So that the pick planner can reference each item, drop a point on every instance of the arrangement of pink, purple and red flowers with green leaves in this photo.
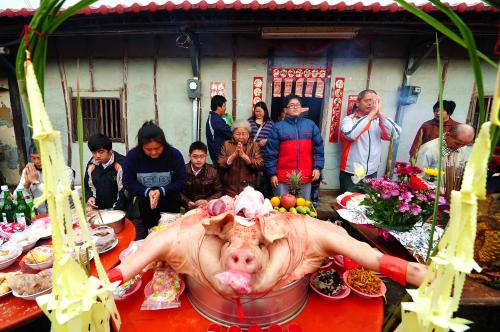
(399, 205)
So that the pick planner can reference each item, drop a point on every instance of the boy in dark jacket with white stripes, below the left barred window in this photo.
(103, 175)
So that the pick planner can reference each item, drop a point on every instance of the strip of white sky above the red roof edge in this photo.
(18, 4)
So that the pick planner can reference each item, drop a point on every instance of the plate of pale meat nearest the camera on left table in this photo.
(29, 286)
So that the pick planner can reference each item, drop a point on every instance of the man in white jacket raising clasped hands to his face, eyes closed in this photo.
(361, 134)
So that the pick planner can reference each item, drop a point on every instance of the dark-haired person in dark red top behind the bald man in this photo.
(429, 130)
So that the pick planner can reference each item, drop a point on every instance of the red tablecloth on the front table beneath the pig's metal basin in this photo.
(350, 314)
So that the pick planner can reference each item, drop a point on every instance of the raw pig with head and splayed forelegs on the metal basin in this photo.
(267, 251)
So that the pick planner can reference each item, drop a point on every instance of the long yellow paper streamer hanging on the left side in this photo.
(77, 302)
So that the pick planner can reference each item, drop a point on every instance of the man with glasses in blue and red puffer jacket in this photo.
(294, 144)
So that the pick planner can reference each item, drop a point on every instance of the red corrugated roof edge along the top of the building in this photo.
(270, 5)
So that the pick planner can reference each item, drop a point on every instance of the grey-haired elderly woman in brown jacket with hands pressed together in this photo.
(240, 159)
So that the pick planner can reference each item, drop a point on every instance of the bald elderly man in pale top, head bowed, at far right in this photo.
(455, 148)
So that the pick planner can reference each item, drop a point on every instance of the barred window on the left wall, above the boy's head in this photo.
(100, 116)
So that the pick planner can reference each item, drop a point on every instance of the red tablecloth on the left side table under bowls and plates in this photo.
(15, 312)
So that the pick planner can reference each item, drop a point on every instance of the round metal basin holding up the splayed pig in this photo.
(276, 307)
